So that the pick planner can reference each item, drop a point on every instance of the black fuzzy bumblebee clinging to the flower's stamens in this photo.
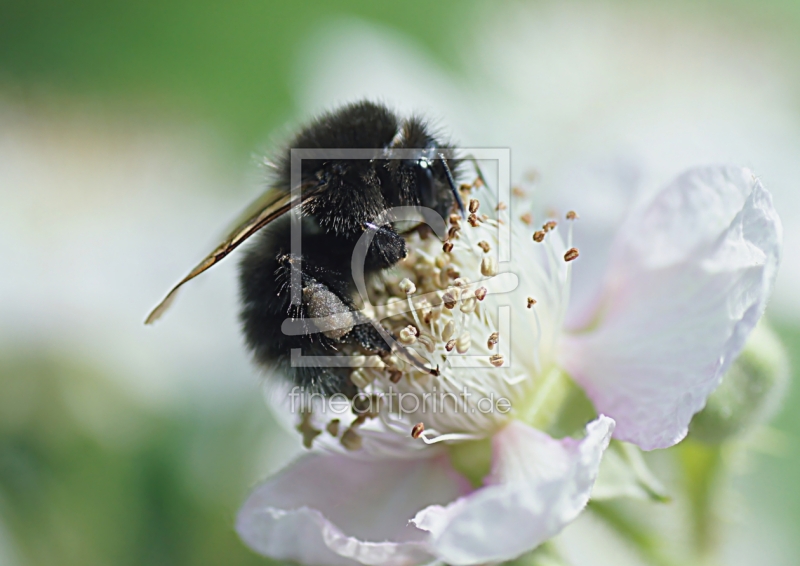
(340, 199)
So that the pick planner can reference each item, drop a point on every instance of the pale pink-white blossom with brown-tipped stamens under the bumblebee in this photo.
(688, 278)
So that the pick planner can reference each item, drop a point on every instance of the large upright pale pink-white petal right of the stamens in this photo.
(689, 278)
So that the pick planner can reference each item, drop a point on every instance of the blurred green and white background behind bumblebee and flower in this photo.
(132, 133)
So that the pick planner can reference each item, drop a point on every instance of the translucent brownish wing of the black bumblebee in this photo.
(264, 210)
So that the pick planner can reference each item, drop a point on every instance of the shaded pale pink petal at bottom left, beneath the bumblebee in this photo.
(335, 509)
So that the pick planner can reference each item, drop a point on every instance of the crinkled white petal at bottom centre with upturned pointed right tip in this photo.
(536, 487)
